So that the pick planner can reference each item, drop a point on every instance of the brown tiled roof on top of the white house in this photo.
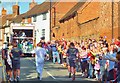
(39, 9)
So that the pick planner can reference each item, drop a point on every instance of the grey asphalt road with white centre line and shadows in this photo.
(52, 72)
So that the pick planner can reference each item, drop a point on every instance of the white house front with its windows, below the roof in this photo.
(42, 26)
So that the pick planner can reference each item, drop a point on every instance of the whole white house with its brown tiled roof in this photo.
(40, 16)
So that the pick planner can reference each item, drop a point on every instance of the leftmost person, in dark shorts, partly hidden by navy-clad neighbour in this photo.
(5, 56)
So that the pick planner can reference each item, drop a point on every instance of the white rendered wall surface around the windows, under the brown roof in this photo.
(42, 24)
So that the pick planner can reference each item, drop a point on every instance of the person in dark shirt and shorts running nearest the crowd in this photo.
(72, 54)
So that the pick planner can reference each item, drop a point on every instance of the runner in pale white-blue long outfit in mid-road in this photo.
(39, 57)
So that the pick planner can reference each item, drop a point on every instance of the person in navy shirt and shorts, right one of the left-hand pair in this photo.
(15, 56)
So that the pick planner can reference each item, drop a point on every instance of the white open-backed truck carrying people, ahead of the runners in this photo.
(24, 34)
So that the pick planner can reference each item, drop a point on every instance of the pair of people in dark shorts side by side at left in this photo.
(12, 61)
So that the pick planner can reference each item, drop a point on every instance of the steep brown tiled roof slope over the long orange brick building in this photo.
(72, 11)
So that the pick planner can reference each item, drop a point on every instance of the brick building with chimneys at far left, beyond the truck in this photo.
(5, 20)
